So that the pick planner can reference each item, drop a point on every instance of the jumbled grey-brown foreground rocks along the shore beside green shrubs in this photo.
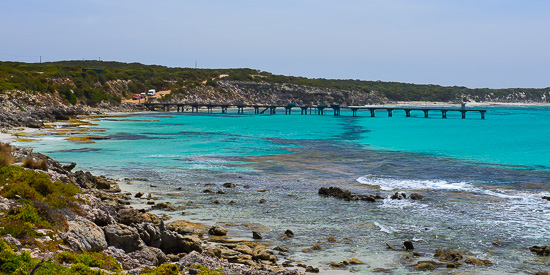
(103, 222)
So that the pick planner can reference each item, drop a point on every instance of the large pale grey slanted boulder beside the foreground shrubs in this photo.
(84, 235)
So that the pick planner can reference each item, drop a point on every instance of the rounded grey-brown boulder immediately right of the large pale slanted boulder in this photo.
(123, 237)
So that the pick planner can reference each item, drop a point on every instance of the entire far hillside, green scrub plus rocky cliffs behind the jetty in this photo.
(92, 82)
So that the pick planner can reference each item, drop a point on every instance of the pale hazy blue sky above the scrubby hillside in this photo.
(472, 43)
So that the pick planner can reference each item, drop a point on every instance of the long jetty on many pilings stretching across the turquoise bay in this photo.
(318, 109)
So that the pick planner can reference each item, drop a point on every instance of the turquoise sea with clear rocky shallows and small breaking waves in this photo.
(482, 180)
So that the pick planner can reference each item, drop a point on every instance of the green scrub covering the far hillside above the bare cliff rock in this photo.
(92, 82)
